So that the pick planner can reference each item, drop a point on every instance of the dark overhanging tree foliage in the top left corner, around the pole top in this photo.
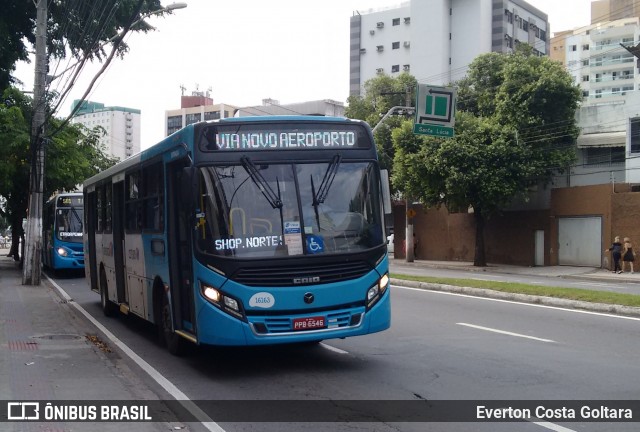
(83, 27)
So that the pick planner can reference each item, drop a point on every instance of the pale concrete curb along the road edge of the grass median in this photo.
(523, 298)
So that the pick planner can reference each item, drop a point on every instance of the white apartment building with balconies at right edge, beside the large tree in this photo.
(607, 74)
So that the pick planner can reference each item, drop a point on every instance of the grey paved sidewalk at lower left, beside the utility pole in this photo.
(49, 352)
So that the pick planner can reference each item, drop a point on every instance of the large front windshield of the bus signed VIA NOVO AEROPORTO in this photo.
(286, 209)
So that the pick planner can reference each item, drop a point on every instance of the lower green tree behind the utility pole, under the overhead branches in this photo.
(73, 155)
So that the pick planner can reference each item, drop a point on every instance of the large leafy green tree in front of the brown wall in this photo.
(515, 127)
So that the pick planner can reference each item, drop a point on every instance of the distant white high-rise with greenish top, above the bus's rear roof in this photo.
(122, 126)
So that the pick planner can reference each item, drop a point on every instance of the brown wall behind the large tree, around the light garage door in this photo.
(510, 237)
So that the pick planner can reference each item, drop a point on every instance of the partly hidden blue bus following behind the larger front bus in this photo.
(62, 217)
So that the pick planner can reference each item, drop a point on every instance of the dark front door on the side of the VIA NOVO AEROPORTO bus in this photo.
(180, 252)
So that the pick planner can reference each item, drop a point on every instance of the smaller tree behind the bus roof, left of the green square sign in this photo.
(381, 94)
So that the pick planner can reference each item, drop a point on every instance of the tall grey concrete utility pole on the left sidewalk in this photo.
(33, 237)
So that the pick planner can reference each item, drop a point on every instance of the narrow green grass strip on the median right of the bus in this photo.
(520, 288)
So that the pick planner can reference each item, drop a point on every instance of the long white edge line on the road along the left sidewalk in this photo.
(170, 388)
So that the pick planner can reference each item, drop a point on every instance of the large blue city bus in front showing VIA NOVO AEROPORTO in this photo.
(244, 231)
